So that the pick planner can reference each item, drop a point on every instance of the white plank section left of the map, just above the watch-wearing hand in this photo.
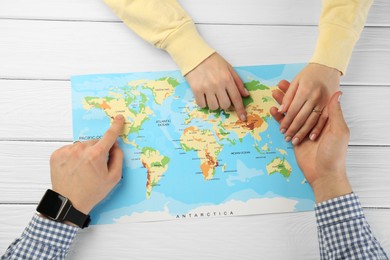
(36, 110)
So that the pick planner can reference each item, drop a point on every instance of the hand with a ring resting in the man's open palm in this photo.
(309, 91)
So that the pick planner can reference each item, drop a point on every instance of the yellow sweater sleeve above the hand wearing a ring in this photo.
(340, 25)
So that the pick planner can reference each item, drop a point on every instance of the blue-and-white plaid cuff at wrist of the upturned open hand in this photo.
(338, 210)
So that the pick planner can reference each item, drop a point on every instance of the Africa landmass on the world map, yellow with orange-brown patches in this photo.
(204, 142)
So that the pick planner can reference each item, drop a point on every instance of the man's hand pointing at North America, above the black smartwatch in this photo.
(86, 172)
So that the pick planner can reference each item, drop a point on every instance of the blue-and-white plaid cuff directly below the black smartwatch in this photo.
(50, 233)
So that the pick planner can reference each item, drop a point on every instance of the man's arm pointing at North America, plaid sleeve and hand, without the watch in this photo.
(81, 173)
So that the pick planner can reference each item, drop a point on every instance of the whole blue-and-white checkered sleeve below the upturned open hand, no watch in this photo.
(343, 231)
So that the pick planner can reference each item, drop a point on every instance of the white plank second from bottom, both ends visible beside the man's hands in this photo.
(24, 168)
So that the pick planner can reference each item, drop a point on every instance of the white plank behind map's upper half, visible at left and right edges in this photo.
(41, 110)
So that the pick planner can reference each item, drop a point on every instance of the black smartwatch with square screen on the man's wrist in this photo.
(59, 208)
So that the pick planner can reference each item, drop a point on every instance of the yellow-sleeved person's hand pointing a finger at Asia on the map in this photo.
(215, 85)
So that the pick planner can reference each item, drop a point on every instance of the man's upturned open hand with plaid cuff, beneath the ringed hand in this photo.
(322, 161)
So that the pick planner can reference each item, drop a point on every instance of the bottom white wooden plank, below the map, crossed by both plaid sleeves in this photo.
(246, 237)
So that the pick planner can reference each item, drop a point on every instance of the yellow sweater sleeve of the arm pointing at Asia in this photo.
(166, 25)
